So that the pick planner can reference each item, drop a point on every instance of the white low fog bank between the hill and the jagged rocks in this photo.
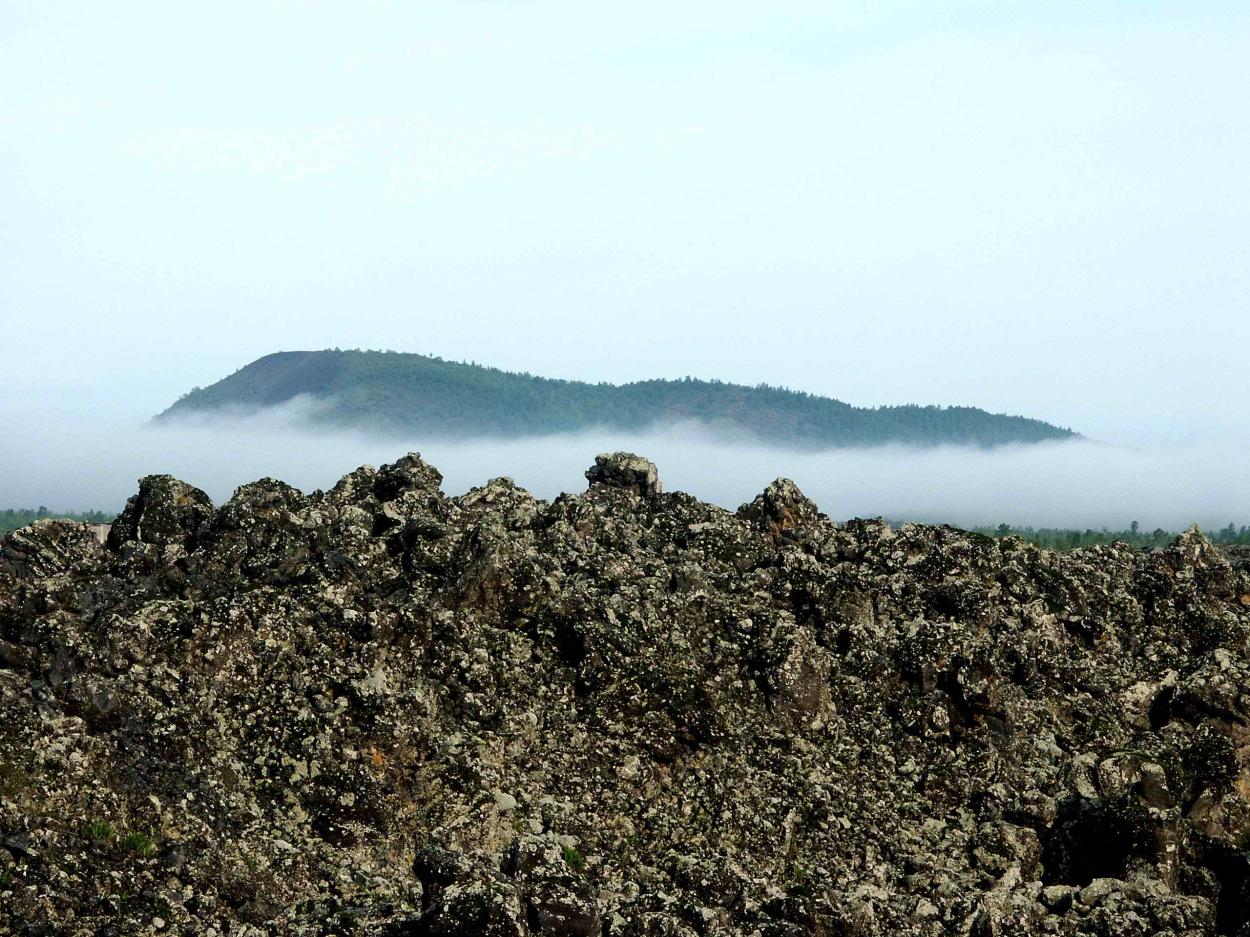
(87, 465)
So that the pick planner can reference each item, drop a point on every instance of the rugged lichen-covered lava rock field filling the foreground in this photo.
(381, 710)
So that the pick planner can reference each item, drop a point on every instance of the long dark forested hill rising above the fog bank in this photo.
(419, 394)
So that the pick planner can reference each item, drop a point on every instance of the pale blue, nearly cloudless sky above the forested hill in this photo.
(1036, 208)
